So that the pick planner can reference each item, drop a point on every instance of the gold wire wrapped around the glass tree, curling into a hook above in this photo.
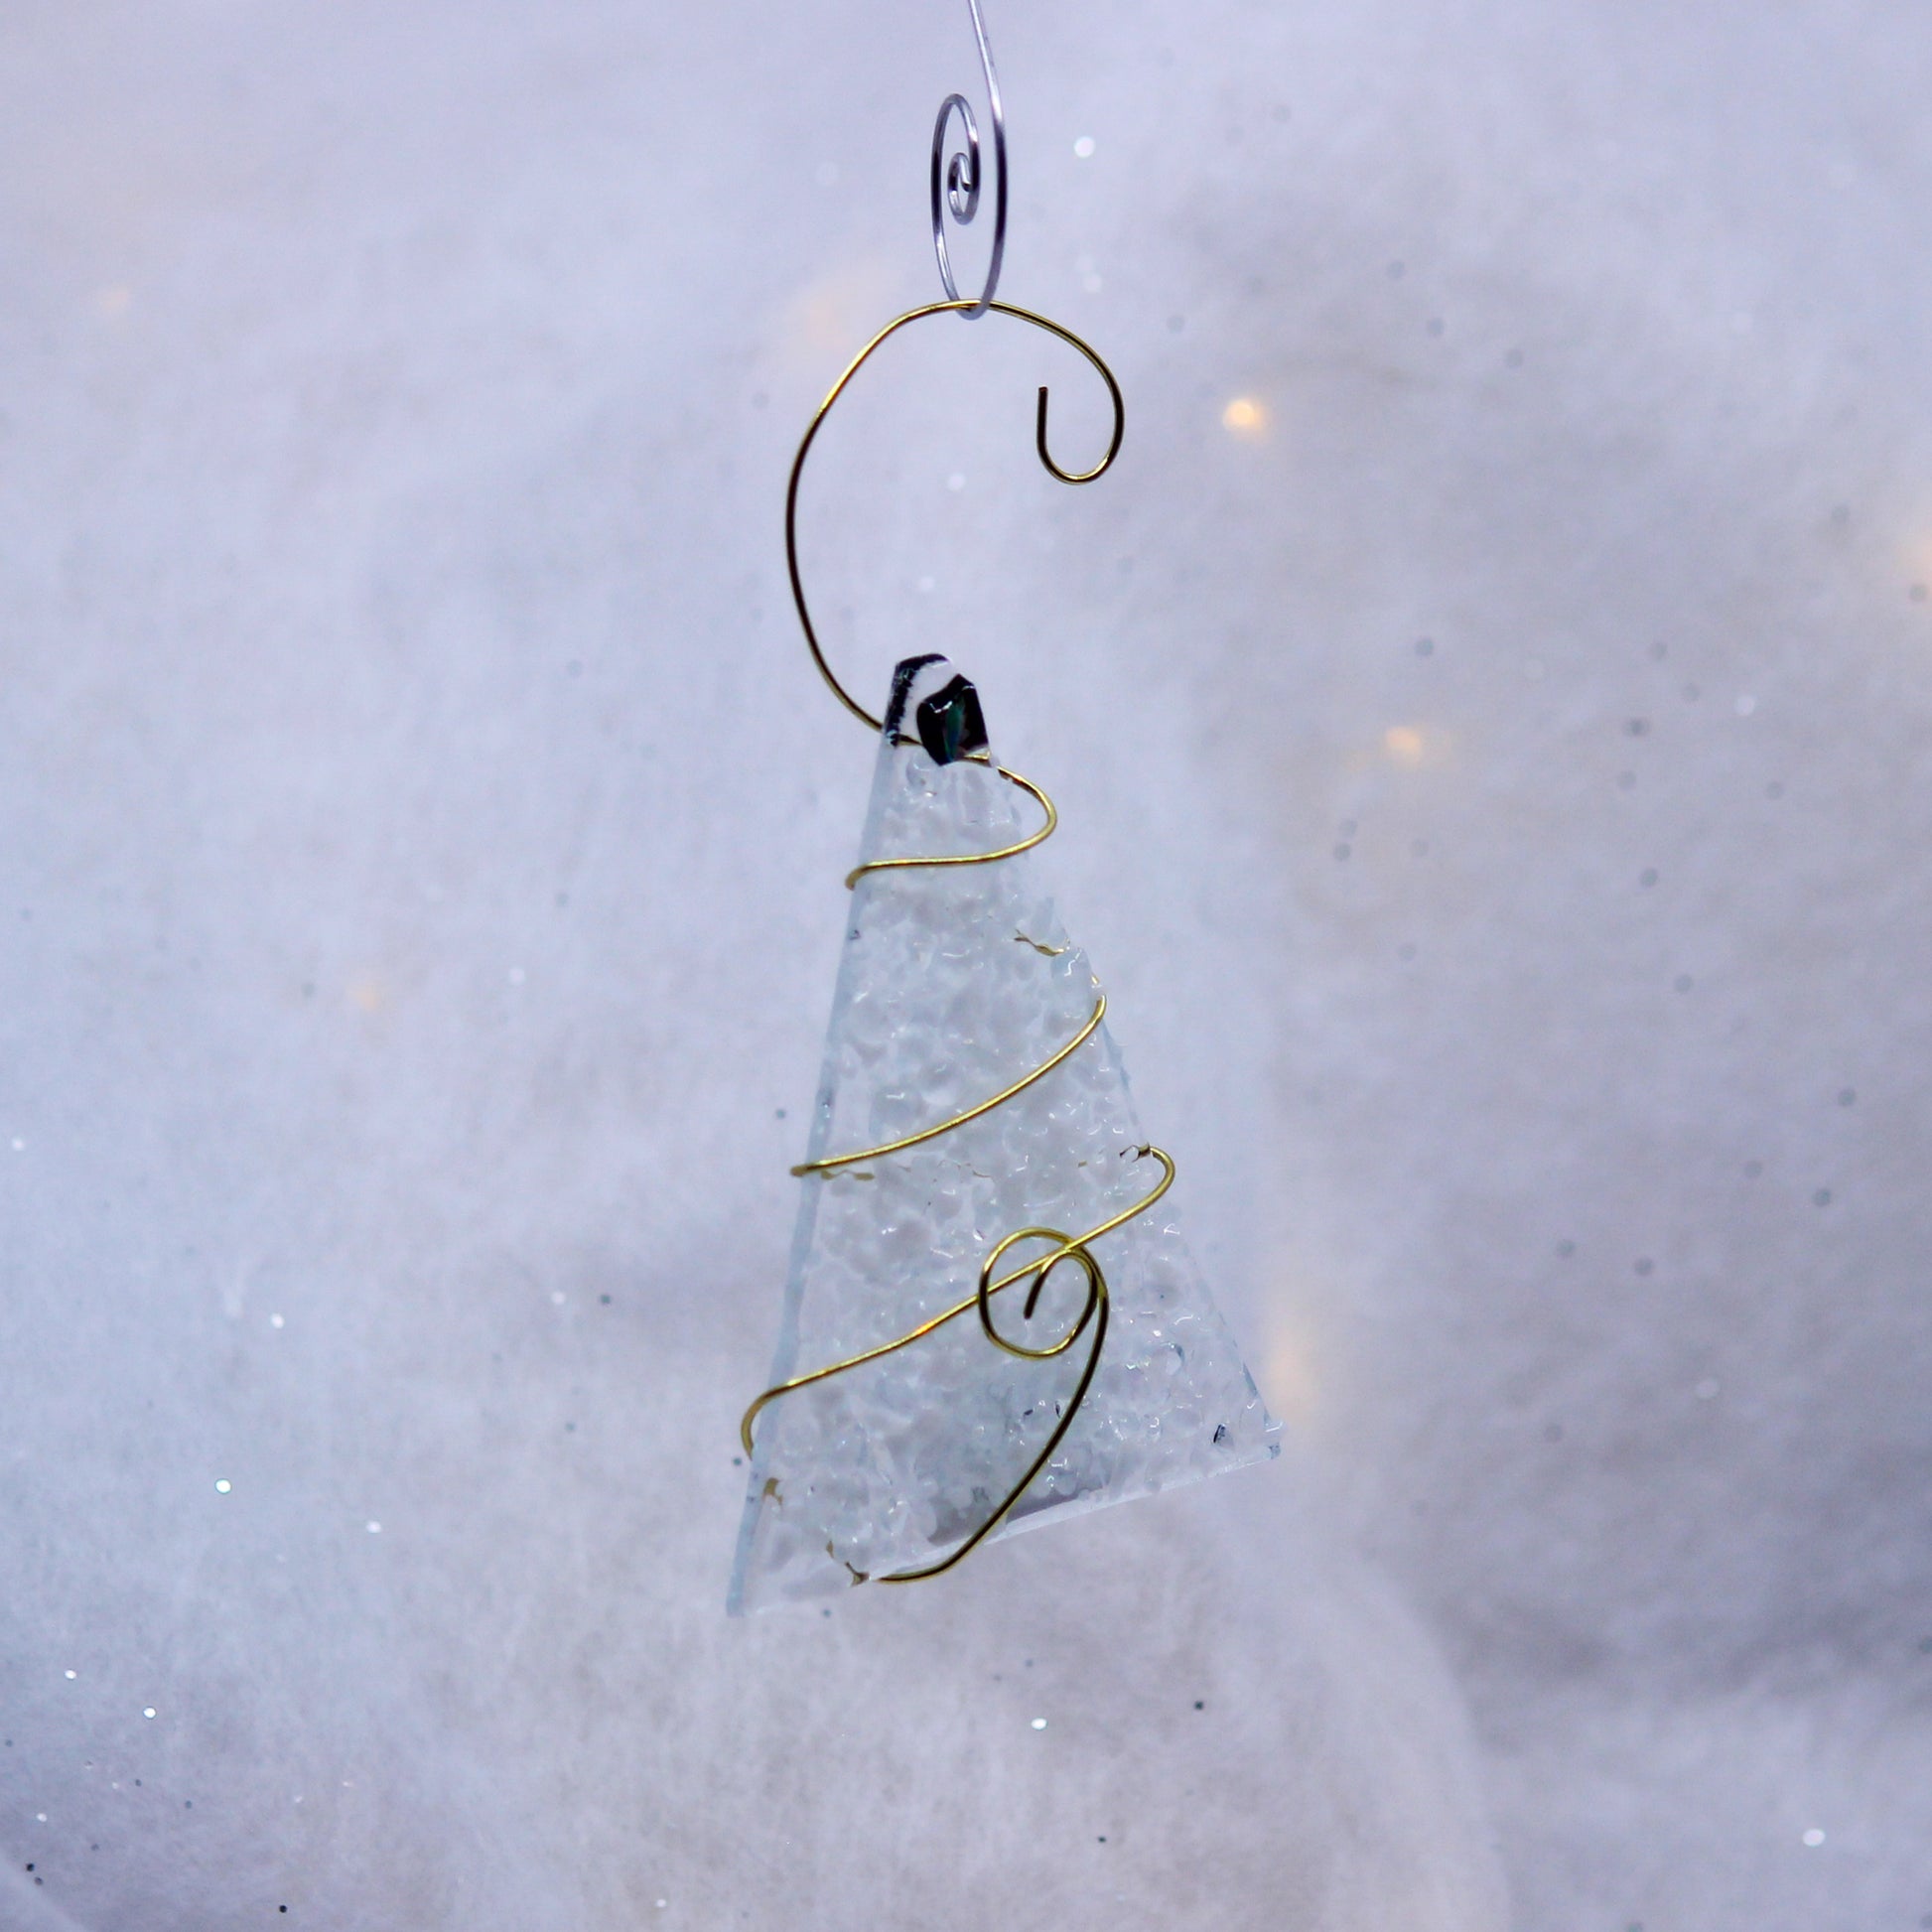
(1075, 1249)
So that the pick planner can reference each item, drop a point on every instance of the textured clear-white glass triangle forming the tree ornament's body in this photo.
(953, 986)
